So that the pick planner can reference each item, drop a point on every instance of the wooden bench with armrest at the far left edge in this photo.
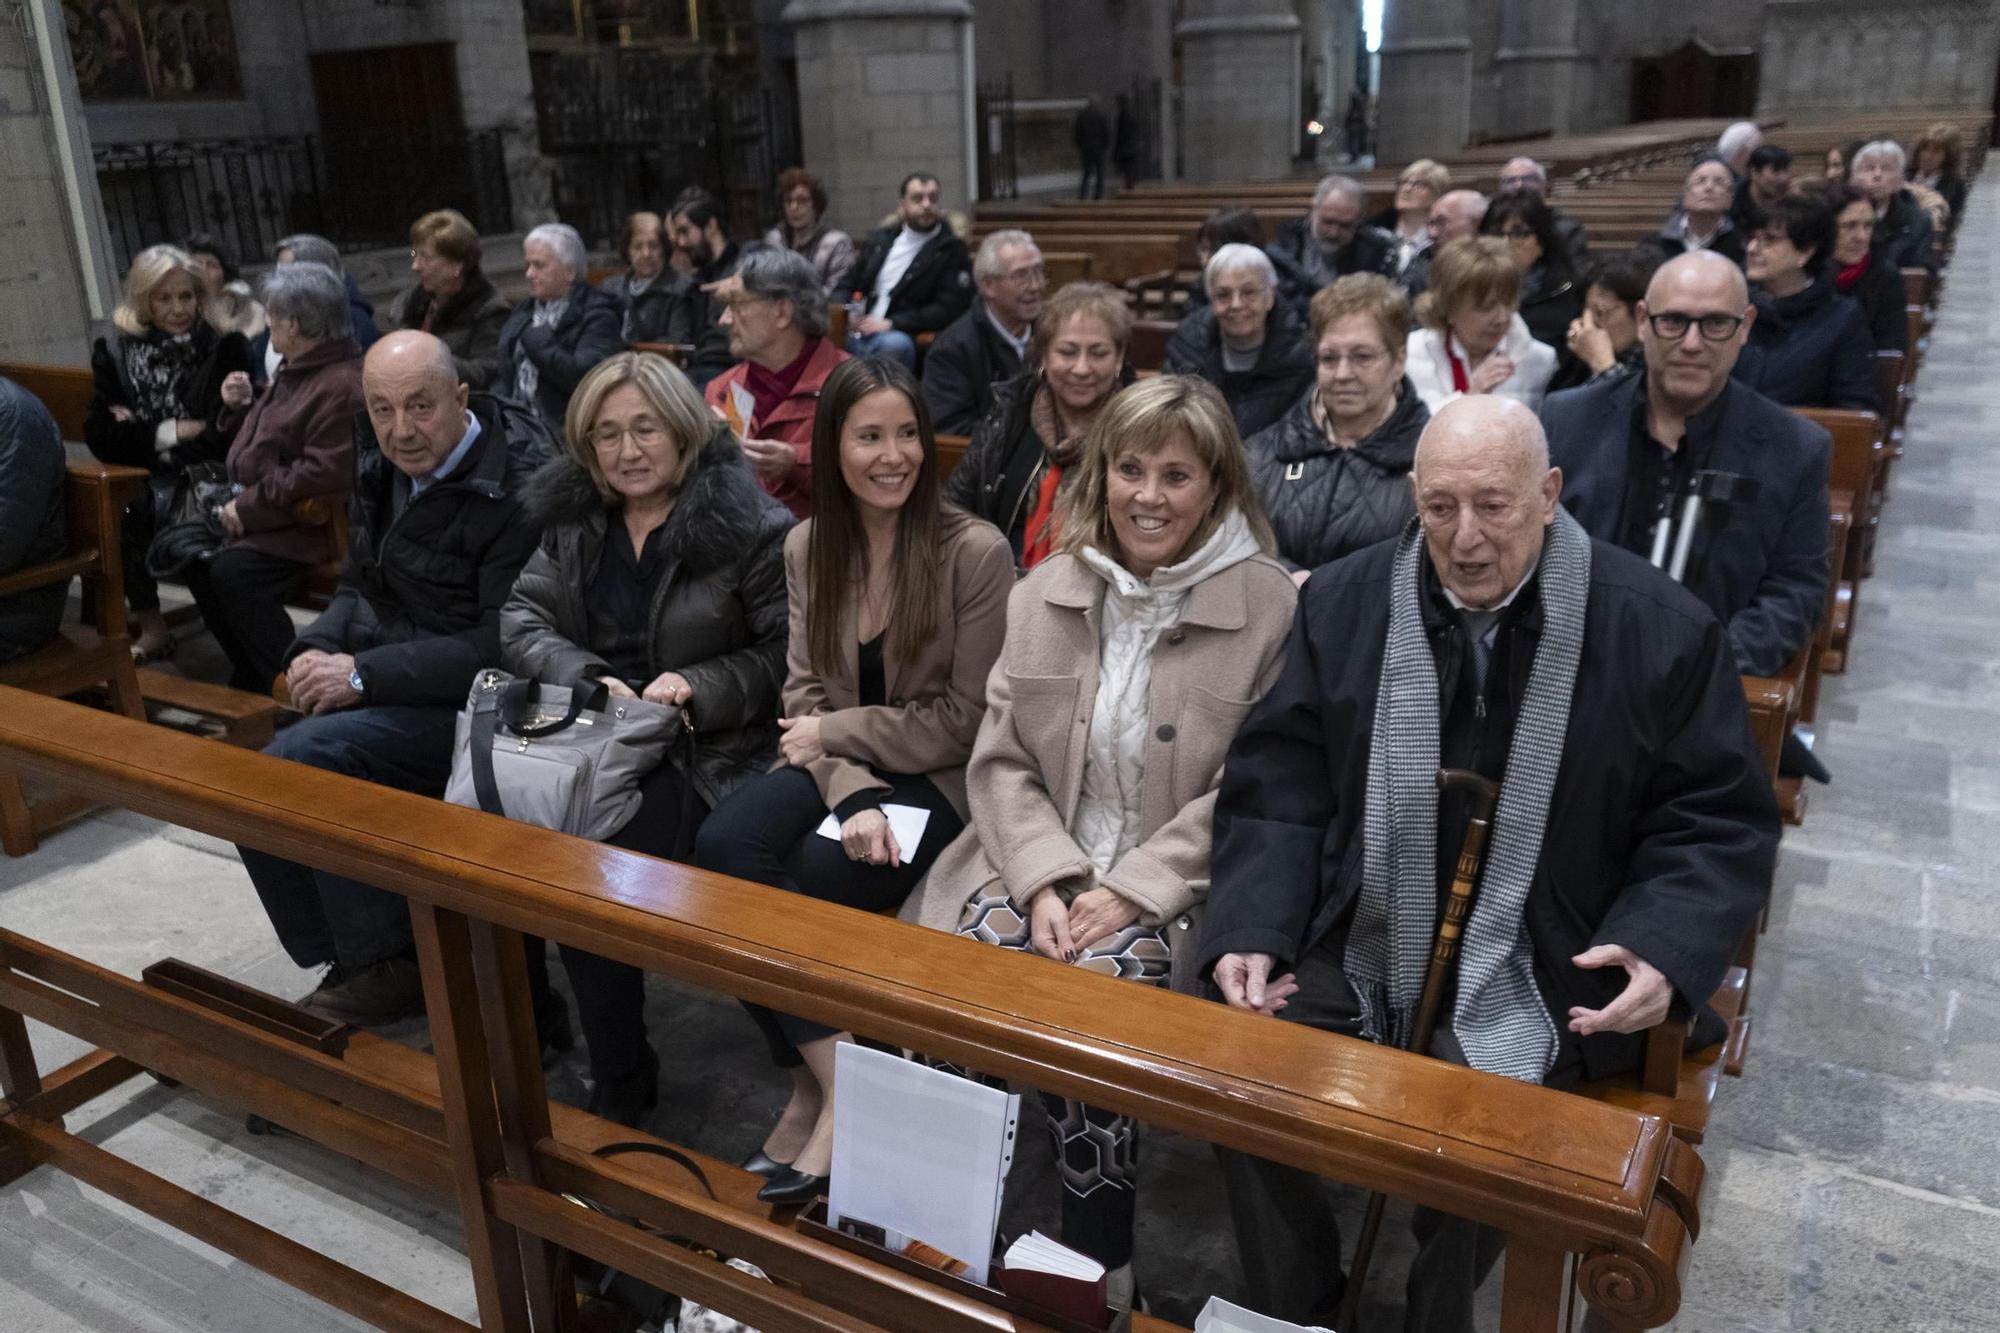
(95, 655)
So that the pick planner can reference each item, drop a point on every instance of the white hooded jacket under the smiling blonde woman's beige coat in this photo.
(1131, 623)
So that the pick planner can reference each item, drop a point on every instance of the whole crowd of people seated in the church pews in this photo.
(1167, 661)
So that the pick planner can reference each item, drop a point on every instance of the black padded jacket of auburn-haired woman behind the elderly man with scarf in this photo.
(1325, 501)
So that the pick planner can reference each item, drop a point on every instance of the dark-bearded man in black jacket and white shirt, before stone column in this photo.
(913, 277)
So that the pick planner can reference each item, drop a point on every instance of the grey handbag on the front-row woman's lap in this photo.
(553, 758)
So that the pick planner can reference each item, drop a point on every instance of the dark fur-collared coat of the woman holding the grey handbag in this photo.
(719, 613)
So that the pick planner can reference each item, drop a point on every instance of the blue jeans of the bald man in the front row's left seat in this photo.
(325, 918)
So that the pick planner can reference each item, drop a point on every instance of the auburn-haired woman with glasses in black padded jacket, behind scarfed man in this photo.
(1335, 471)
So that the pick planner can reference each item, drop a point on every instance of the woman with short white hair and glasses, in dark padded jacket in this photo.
(1245, 341)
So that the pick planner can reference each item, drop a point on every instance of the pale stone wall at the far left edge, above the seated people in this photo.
(43, 307)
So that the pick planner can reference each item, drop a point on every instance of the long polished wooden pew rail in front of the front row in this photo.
(1561, 1176)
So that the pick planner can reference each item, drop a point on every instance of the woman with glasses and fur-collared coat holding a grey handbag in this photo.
(661, 575)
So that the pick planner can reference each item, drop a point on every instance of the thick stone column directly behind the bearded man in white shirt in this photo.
(885, 89)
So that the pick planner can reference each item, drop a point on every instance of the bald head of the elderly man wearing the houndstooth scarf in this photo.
(1485, 495)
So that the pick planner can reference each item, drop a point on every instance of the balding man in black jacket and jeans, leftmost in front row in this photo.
(437, 537)
